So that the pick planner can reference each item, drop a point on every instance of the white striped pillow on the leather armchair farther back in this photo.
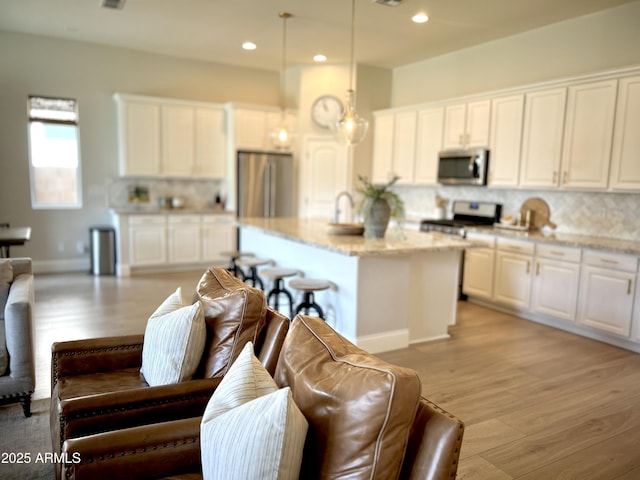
(173, 341)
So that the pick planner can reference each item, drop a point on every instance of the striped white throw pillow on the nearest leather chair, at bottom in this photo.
(250, 429)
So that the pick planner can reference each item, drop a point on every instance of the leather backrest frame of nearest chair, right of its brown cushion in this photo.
(434, 444)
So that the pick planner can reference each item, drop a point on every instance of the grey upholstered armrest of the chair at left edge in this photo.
(19, 328)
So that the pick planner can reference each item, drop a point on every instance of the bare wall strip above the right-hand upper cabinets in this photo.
(600, 41)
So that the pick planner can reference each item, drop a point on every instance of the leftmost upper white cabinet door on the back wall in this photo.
(140, 141)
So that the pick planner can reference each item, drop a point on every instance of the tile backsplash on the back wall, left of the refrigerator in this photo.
(197, 194)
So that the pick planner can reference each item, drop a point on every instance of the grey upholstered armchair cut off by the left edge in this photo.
(18, 382)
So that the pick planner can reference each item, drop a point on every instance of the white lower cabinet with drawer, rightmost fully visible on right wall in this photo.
(607, 291)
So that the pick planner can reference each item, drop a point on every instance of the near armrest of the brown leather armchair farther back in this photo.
(76, 417)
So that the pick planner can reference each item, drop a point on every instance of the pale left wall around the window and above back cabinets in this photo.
(92, 74)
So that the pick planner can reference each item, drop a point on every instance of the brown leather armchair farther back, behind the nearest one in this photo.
(97, 385)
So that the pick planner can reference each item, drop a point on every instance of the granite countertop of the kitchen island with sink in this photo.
(396, 242)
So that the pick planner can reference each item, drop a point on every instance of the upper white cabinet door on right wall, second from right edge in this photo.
(588, 135)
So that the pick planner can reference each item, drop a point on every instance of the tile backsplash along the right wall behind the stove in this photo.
(586, 213)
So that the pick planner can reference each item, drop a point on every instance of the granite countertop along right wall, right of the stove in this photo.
(567, 239)
